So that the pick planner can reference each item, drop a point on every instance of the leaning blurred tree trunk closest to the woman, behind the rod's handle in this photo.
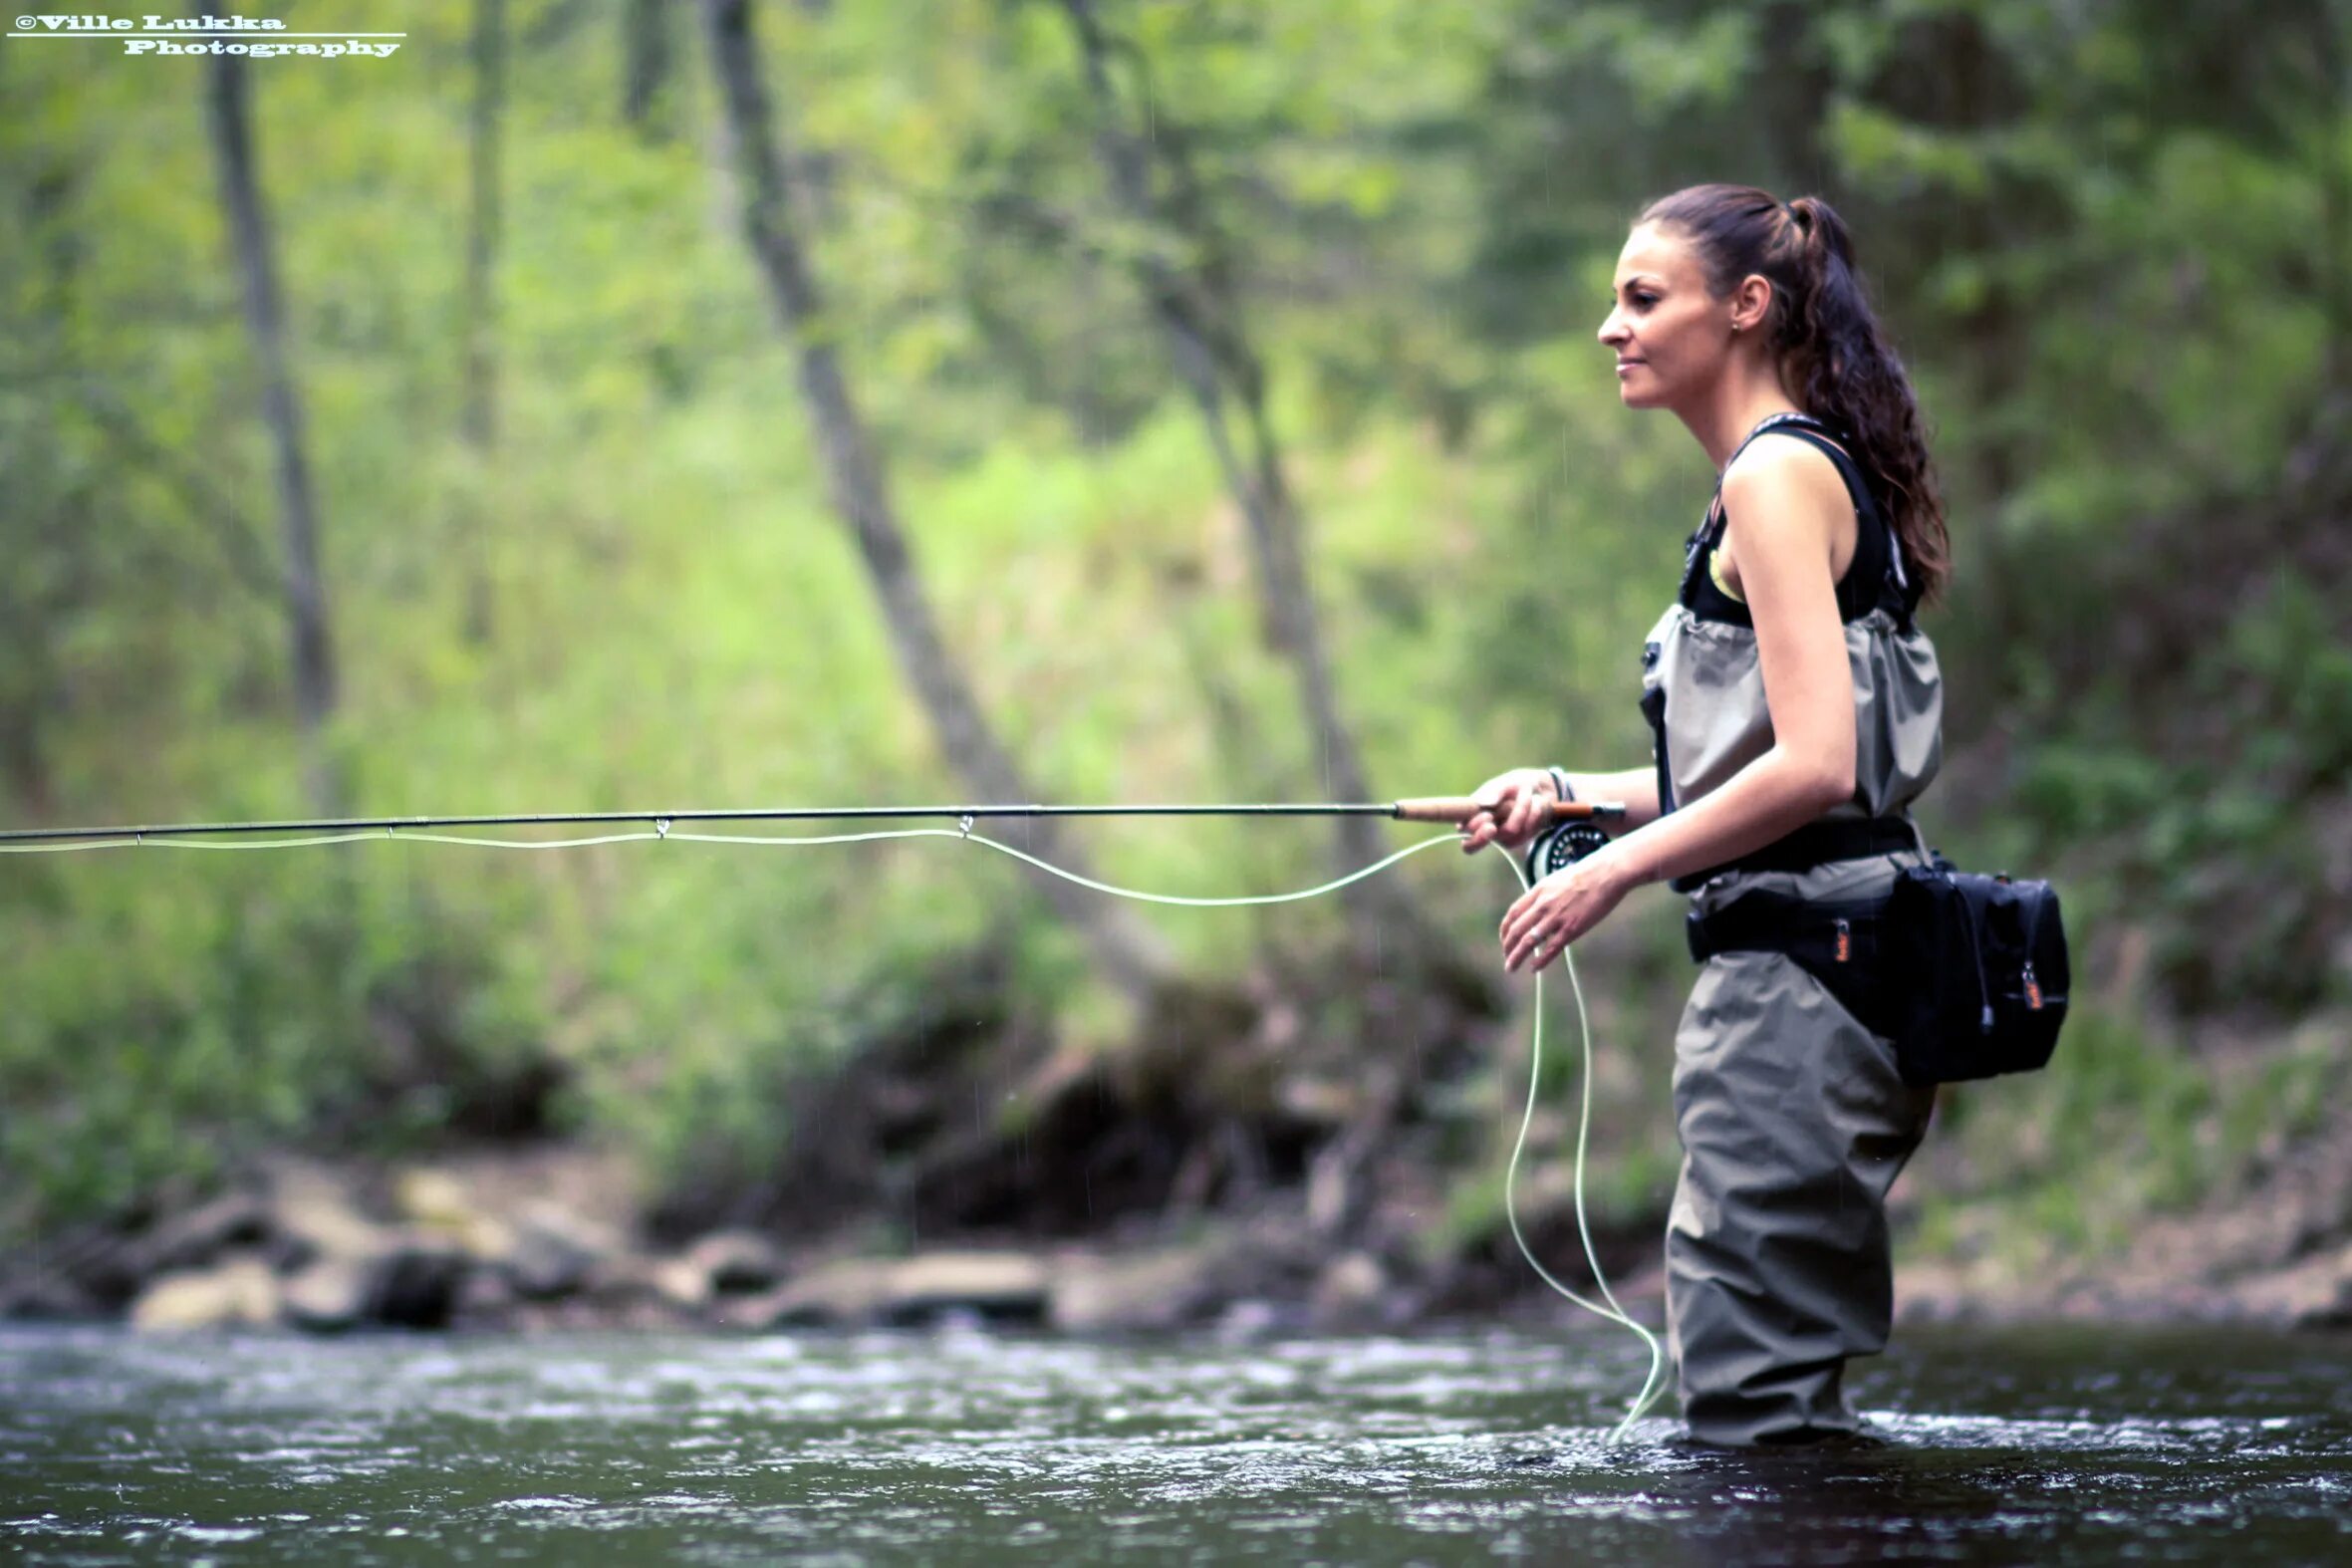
(1201, 316)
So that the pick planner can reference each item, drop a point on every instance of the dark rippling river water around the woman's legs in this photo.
(963, 1447)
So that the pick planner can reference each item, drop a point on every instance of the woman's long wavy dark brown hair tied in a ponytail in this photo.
(1831, 347)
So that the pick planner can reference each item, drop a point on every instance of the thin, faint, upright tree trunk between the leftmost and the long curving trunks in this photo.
(483, 234)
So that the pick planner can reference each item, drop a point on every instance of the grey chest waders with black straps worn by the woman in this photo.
(1793, 1115)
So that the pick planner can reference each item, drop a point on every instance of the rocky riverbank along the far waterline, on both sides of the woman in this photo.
(549, 1238)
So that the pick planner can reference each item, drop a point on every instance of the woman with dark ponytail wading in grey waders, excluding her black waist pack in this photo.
(1796, 716)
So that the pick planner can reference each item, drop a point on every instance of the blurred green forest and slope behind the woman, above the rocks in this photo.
(632, 406)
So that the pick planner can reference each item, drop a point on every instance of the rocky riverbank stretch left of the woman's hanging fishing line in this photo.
(519, 1242)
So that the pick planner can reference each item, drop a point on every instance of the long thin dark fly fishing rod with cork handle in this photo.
(1424, 810)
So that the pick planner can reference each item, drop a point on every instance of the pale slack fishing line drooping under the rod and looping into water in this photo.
(664, 831)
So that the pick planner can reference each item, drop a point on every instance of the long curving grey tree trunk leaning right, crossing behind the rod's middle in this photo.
(1123, 949)
